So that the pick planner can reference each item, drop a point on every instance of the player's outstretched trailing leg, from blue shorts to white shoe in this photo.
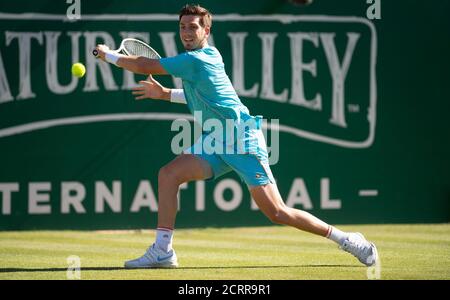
(255, 170)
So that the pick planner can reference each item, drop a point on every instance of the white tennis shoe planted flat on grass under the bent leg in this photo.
(154, 258)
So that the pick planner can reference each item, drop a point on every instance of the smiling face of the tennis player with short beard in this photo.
(192, 34)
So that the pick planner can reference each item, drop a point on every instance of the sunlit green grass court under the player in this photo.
(406, 252)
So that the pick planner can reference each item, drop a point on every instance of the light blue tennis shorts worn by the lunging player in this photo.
(252, 165)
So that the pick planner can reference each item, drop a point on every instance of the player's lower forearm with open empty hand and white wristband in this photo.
(152, 89)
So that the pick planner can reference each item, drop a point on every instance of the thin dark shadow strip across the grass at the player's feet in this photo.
(18, 270)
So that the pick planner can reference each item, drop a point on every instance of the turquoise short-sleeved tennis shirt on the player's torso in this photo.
(206, 86)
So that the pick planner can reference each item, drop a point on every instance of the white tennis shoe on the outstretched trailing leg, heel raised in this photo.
(365, 251)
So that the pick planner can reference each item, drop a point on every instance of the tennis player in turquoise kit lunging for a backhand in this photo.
(207, 88)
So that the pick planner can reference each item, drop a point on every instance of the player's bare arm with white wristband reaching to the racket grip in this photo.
(135, 64)
